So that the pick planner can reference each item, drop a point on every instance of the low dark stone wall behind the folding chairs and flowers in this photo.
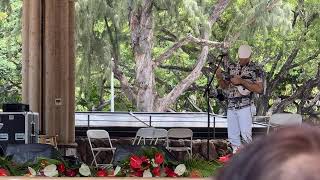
(199, 148)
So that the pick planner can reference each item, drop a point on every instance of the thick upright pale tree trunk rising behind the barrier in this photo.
(141, 24)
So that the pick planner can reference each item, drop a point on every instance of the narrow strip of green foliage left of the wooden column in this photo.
(10, 51)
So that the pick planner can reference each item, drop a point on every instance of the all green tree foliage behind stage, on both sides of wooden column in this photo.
(103, 32)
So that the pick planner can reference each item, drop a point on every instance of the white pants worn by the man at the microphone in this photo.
(239, 122)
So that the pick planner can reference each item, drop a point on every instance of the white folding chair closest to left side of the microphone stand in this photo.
(180, 133)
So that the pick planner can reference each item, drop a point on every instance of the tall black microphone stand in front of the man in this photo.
(207, 95)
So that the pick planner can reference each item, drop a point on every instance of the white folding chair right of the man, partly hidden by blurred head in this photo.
(284, 119)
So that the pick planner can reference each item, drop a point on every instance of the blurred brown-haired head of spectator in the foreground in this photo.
(290, 153)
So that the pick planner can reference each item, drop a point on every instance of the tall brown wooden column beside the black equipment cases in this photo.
(48, 79)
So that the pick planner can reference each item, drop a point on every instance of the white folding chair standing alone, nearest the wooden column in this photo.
(99, 134)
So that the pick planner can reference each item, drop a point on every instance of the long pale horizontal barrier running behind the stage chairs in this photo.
(142, 119)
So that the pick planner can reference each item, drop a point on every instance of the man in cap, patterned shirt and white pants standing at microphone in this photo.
(240, 81)
